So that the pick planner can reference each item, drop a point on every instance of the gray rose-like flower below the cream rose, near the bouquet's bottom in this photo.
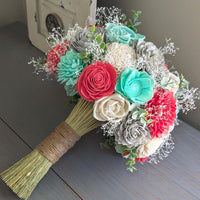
(131, 133)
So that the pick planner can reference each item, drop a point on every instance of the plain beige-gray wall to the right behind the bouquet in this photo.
(176, 19)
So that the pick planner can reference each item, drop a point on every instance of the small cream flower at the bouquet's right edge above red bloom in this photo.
(171, 82)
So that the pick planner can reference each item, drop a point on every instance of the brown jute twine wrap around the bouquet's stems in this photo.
(58, 142)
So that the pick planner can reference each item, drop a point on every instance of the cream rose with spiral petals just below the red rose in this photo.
(111, 108)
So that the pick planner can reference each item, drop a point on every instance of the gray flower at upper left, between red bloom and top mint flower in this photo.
(81, 41)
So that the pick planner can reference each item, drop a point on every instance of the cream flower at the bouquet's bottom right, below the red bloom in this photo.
(151, 146)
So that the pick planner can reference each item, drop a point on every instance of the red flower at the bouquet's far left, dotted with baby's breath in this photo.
(53, 57)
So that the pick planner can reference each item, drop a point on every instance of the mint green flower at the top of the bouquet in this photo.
(121, 34)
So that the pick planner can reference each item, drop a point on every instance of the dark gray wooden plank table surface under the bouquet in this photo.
(31, 108)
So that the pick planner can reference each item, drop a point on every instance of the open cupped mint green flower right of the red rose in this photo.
(134, 85)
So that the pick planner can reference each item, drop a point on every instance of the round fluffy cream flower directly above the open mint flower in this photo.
(120, 56)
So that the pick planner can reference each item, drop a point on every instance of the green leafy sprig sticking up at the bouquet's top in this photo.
(133, 22)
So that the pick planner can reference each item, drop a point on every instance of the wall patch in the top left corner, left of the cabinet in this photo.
(11, 11)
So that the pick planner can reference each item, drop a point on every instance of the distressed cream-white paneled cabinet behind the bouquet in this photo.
(43, 15)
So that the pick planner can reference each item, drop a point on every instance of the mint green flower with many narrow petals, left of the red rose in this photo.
(69, 69)
